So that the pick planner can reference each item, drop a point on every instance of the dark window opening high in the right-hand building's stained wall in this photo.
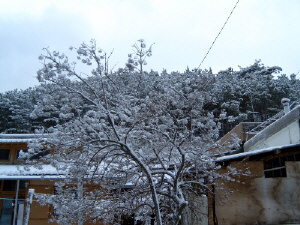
(276, 167)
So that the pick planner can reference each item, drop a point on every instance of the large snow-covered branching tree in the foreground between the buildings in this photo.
(121, 130)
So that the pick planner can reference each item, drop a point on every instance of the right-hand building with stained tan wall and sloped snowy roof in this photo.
(270, 194)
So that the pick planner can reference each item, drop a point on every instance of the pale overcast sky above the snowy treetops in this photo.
(182, 30)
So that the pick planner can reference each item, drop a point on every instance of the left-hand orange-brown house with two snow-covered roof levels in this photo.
(17, 184)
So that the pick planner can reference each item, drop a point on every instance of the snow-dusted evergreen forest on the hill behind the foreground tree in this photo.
(252, 93)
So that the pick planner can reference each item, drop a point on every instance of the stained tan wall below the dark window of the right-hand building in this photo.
(260, 200)
